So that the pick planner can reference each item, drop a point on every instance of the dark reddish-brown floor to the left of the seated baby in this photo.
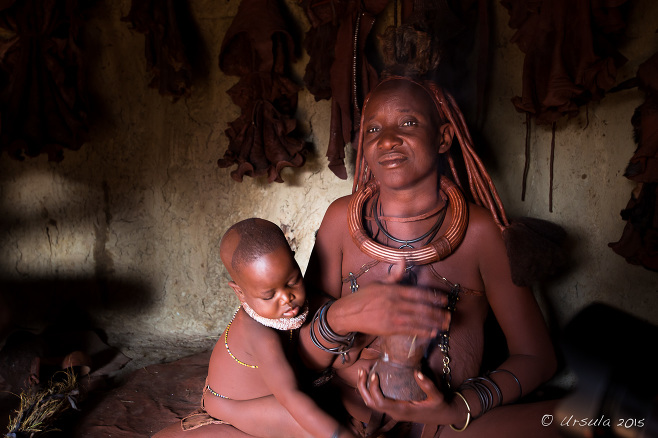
(119, 397)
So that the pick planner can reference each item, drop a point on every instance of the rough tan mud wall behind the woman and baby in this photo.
(123, 234)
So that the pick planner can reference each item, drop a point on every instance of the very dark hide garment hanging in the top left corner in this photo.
(43, 103)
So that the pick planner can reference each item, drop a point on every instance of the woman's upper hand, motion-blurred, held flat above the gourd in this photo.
(388, 308)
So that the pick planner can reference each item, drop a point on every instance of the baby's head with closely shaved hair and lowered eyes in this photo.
(265, 274)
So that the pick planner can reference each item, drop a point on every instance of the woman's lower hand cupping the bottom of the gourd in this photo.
(433, 410)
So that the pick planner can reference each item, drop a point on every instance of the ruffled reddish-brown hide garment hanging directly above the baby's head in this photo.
(257, 47)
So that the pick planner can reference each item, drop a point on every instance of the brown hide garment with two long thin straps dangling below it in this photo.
(570, 58)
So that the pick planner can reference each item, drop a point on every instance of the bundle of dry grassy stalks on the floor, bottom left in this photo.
(39, 409)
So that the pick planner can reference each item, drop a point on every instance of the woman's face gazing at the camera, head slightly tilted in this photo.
(400, 140)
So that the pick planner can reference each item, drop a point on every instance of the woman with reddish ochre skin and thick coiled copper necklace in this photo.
(407, 255)
